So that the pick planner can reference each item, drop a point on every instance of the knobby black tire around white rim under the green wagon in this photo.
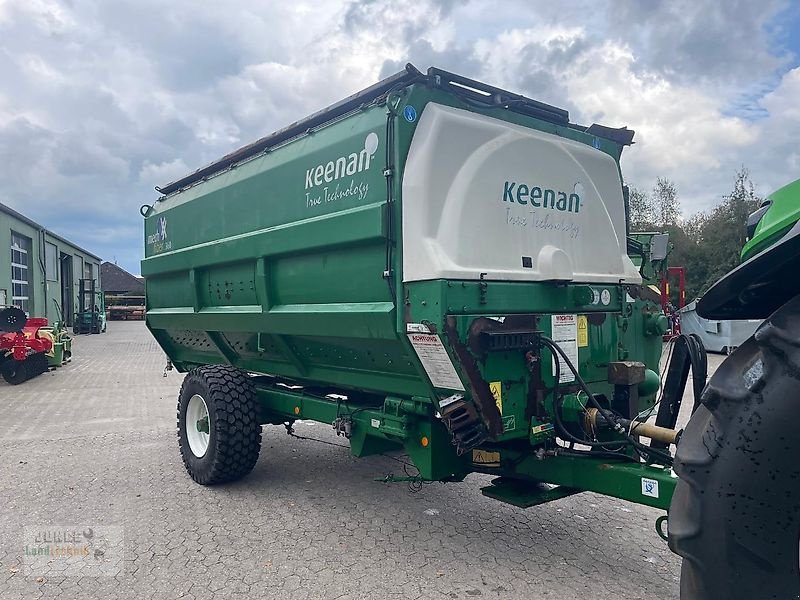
(234, 430)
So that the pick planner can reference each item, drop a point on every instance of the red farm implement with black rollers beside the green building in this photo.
(29, 346)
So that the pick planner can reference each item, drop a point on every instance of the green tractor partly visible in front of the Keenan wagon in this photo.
(735, 515)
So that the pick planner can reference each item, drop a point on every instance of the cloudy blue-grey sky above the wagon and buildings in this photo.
(102, 100)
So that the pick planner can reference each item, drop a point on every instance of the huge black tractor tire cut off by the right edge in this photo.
(735, 514)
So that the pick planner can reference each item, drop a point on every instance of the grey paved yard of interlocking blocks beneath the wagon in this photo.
(93, 445)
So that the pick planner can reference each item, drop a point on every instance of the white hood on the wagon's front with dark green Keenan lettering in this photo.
(483, 196)
